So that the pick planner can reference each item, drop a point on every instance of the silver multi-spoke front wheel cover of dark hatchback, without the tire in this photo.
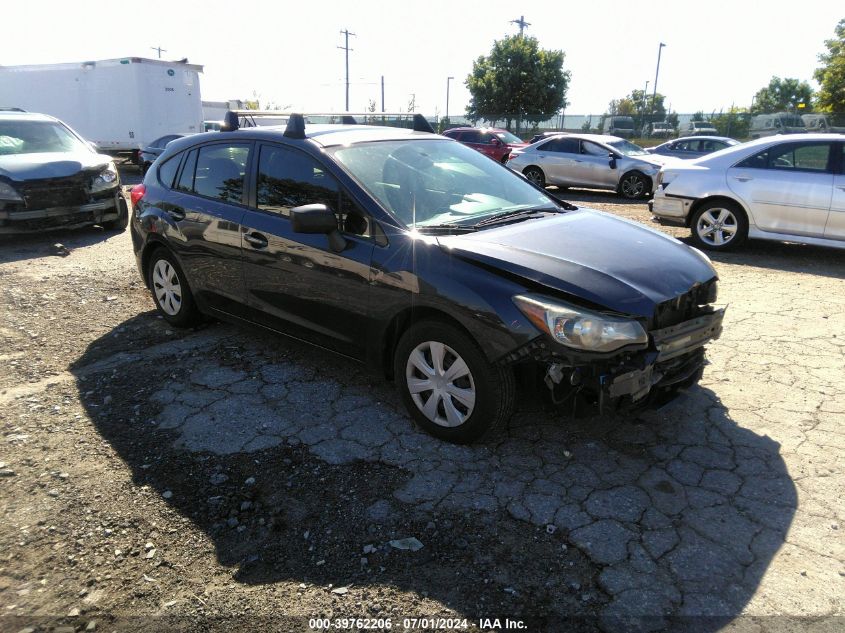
(440, 383)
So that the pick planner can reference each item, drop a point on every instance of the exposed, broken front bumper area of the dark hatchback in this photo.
(674, 360)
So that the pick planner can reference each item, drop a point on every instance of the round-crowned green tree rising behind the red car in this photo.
(518, 81)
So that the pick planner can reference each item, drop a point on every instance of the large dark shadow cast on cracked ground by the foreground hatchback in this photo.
(300, 466)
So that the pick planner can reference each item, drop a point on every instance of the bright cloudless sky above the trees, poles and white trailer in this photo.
(717, 53)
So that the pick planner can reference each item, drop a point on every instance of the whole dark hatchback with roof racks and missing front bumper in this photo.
(423, 258)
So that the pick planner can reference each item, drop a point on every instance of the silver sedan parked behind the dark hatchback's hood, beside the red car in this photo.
(590, 160)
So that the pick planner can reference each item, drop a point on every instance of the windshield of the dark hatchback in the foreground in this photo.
(433, 182)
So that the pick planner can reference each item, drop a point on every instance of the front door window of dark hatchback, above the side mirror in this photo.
(288, 178)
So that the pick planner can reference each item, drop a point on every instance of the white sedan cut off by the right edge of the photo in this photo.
(785, 188)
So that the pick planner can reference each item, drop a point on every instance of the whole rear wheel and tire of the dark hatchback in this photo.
(170, 290)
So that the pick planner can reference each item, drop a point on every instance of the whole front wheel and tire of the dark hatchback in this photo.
(447, 384)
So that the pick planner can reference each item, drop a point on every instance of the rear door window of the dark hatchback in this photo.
(221, 170)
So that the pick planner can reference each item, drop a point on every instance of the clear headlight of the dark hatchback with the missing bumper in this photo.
(580, 328)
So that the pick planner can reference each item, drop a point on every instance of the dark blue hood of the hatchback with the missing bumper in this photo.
(590, 255)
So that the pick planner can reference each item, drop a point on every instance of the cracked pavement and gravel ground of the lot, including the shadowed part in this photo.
(221, 479)
